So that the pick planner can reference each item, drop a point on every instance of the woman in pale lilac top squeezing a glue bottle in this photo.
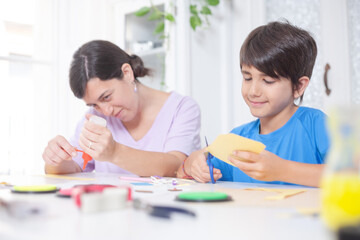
(148, 132)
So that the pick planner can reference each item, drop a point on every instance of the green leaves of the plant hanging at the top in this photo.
(199, 13)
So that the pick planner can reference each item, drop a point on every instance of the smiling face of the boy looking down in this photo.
(267, 97)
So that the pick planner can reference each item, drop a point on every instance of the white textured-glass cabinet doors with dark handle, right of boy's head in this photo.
(335, 27)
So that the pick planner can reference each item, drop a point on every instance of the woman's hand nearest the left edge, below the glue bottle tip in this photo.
(58, 150)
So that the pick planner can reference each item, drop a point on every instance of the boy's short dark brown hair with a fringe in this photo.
(280, 49)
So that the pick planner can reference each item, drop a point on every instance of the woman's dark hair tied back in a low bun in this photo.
(103, 60)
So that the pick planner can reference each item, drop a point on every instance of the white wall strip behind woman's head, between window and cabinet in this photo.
(80, 21)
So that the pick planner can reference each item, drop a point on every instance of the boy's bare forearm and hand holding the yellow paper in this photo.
(267, 166)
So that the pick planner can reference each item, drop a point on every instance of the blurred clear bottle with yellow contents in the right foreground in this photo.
(341, 179)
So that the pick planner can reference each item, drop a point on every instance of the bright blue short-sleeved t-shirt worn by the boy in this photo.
(303, 138)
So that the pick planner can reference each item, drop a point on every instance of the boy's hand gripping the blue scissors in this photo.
(197, 167)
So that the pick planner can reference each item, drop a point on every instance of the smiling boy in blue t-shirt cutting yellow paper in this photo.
(276, 62)
